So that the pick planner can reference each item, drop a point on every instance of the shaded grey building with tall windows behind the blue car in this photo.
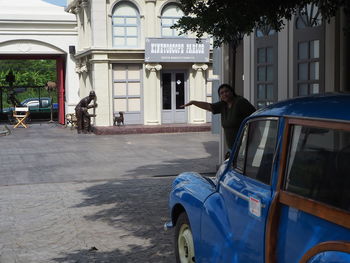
(309, 56)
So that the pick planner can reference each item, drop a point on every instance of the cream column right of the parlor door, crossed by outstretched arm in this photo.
(198, 92)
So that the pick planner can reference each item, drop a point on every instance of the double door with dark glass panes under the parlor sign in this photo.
(173, 85)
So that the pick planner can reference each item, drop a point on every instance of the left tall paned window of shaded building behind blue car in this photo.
(266, 66)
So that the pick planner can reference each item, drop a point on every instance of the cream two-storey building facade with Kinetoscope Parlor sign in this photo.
(136, 63)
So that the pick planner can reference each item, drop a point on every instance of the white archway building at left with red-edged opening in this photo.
(33, 29)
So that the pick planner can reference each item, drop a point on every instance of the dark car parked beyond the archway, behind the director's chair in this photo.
(37, 108)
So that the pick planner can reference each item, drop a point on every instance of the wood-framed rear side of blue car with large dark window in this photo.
(314, 198)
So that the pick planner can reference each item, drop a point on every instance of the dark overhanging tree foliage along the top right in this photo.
(229, 20)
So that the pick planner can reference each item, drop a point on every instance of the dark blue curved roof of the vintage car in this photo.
(322, 106)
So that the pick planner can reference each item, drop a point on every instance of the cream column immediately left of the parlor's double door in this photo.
(152, 109)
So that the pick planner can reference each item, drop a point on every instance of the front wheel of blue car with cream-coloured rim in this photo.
(184, 248)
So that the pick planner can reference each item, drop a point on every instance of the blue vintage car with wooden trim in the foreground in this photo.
(282, 196)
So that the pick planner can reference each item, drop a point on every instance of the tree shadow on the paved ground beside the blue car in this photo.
(138, 206)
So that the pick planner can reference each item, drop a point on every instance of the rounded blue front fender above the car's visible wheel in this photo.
(189, 192)
